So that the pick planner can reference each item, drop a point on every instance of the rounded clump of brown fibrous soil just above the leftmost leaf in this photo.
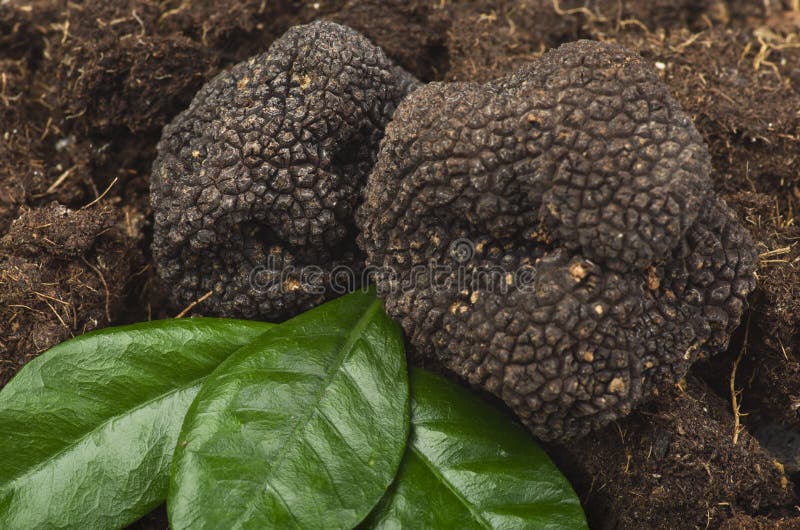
(62, 273)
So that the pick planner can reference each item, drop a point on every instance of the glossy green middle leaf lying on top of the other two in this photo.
(305, 427)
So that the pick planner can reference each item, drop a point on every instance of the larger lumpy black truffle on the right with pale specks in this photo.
(580, 255)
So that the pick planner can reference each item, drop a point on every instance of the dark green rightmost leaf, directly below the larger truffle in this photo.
(470, 465)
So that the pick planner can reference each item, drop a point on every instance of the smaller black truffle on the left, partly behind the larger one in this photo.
(255, 185)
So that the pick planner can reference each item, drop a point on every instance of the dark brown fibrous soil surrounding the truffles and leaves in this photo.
(85, 88)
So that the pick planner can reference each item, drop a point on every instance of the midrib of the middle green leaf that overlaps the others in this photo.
(352, 336)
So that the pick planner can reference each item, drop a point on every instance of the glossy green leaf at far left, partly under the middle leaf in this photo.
(87, 429)
